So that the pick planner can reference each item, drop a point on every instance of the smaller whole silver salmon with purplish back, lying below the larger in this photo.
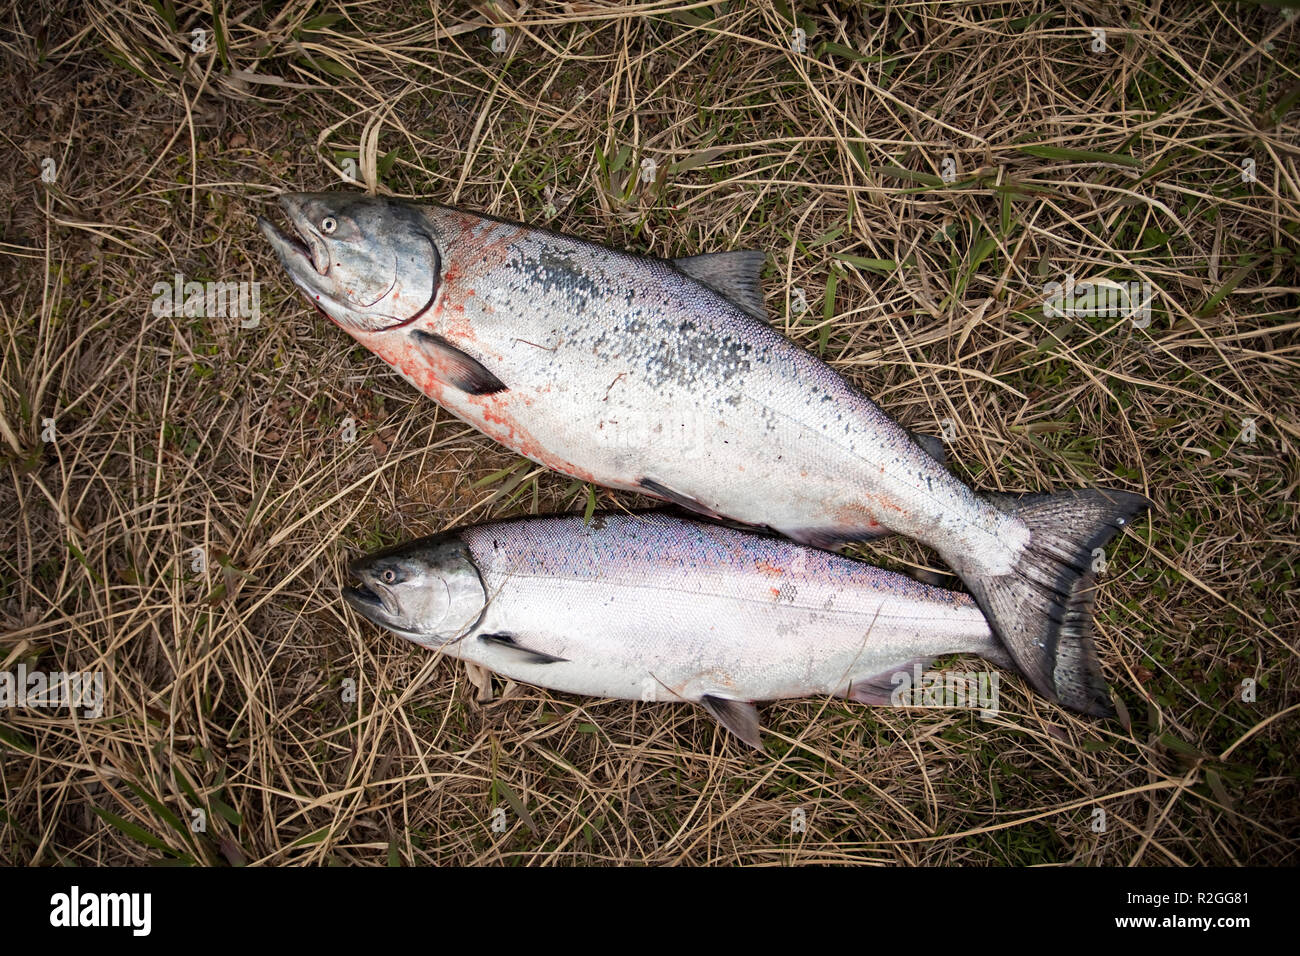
(657, 608)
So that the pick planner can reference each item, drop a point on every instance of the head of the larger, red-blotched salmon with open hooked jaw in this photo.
(370, 263)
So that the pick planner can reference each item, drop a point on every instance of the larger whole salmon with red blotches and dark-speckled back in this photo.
(662, 377)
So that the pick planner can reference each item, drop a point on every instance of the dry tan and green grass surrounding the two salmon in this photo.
(224, 689)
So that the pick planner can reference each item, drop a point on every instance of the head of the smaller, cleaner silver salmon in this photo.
(427, 591)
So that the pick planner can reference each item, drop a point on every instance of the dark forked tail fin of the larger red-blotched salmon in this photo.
(1043, 609)
